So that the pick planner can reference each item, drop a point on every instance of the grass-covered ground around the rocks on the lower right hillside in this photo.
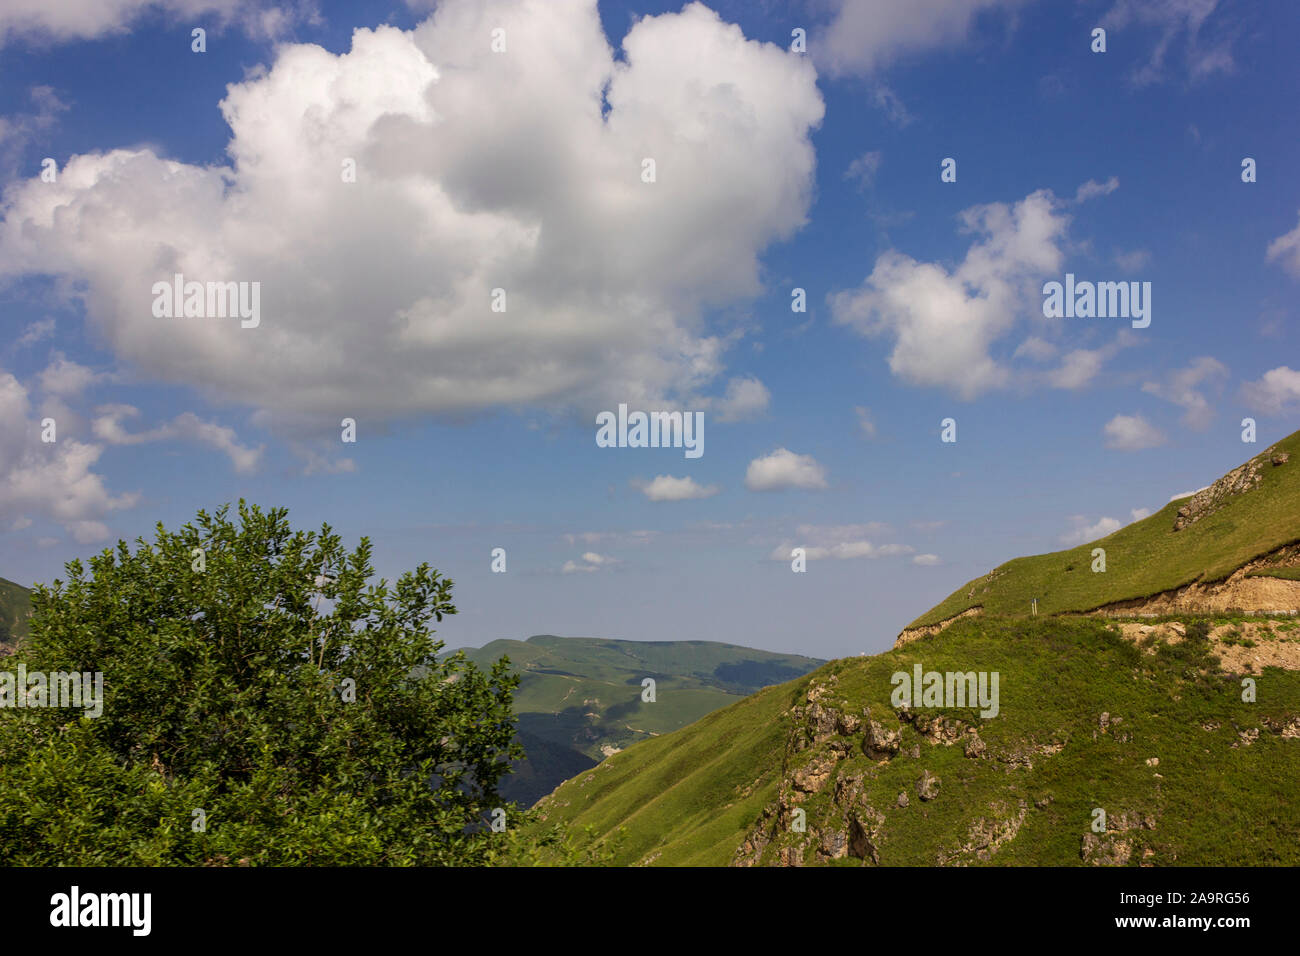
(690, 798)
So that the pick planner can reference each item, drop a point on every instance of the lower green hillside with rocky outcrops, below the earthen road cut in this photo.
(1082, 715)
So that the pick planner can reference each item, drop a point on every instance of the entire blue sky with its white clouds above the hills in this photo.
(775, 171)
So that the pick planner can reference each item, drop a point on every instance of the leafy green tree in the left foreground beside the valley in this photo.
(252, 673)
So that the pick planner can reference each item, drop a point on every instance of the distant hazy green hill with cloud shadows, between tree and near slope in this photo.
(580, 698)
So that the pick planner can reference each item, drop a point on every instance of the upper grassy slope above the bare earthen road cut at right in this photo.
(1147, 557)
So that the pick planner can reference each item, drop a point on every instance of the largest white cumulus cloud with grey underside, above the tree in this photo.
(475, 172)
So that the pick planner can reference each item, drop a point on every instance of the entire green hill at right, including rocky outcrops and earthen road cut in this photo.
(1155, 741)
